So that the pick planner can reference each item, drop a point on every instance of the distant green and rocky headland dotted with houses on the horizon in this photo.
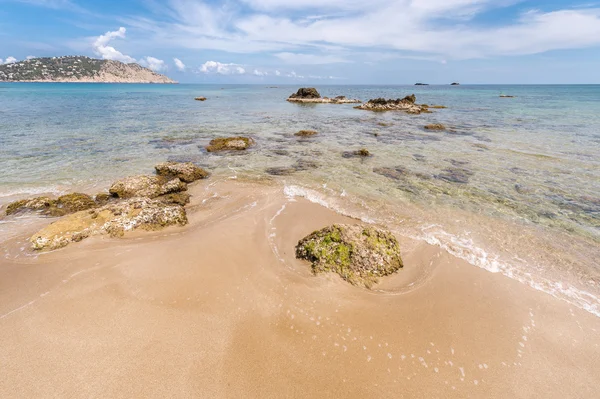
(78, 69)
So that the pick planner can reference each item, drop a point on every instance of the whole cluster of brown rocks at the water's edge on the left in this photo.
(144, 202)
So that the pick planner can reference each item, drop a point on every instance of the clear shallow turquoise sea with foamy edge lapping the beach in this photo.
(513, 186)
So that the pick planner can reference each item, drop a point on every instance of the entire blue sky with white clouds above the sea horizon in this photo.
(318, 41)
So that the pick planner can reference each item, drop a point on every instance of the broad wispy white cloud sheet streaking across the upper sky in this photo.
(341, 29)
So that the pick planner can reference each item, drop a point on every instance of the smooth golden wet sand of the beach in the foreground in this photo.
(221, 308)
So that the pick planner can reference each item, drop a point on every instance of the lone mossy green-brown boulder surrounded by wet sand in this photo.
(359, 254)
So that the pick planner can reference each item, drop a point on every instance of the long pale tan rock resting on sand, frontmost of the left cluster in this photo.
(114, 219)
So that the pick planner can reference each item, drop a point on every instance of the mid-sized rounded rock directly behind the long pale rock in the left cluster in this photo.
(146, 186)
